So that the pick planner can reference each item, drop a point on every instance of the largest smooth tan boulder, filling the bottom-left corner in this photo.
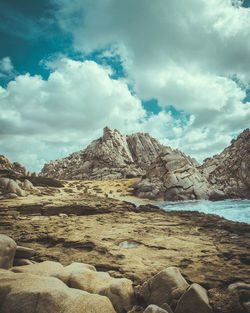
(24, 293)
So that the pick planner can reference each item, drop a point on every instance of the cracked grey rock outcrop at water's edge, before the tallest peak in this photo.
(173, 176)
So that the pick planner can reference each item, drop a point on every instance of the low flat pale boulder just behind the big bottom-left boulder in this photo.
(45, 268)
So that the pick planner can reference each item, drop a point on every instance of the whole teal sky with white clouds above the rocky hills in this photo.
(179, 70)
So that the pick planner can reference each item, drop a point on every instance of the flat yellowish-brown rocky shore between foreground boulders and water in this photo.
(135, 243)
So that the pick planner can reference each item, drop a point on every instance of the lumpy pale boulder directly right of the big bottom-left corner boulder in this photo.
(84, 277)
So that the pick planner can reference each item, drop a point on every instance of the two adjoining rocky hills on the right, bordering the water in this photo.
(174, 176)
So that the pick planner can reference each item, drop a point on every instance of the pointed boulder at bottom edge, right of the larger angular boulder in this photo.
(194, 298)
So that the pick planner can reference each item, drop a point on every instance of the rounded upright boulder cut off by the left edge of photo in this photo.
(7, 251)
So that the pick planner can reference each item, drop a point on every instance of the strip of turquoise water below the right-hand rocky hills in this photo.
(234, 210)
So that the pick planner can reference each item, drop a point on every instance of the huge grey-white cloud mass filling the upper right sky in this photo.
(193, 56)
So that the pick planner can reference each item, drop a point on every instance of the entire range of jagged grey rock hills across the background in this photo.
(167, 174)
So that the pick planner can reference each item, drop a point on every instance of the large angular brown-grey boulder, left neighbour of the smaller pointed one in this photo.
(165, 287)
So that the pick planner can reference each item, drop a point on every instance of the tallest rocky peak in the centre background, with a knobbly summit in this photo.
(112, 156)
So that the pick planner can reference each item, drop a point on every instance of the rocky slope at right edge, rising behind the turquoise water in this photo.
(229, 171)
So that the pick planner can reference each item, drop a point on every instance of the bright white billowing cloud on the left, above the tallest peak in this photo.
(54, 117)
